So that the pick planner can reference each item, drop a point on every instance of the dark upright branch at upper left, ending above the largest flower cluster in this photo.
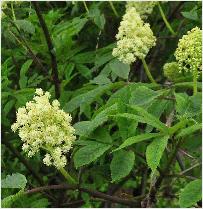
(50, 47)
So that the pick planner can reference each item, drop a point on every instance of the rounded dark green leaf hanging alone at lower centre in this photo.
(121, 164)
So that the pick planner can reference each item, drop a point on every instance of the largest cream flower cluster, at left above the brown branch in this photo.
(42, 125)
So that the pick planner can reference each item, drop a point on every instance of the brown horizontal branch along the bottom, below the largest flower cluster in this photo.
(91, 192)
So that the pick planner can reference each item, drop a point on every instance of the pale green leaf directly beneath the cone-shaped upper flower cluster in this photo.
(120, 69)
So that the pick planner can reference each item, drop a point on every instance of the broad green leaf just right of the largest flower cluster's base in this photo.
(89, 153)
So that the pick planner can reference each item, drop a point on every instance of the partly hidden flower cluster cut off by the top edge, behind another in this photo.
(144, 8)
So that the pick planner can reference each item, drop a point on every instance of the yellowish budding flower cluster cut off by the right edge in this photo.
(189, 52)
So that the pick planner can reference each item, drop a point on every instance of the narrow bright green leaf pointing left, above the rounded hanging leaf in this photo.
(137, 139)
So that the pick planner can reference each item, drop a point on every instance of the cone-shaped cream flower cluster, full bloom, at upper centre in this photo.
(134, 38)
